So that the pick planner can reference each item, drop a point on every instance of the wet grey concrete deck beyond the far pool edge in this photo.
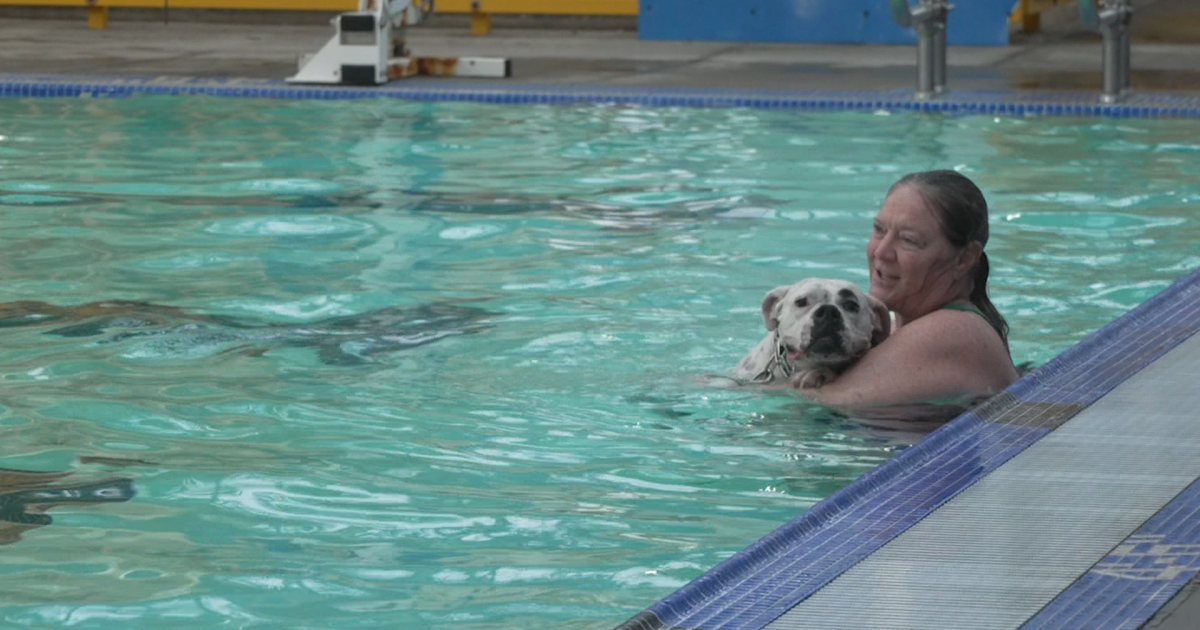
(1064, 57)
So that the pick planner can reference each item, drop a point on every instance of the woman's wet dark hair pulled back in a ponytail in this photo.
(962, 213)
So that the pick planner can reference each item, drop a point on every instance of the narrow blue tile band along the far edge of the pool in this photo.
(985, 103)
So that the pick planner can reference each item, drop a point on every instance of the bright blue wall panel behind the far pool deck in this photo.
(971, 23)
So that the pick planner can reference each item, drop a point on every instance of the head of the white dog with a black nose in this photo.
(826, 322)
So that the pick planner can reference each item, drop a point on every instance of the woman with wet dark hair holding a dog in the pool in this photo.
(949, 344)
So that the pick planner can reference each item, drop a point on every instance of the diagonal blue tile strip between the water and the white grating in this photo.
(758, 585)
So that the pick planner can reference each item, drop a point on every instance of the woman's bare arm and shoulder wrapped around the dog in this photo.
(944, 357)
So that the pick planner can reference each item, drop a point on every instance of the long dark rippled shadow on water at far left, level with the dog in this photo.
(173, 332)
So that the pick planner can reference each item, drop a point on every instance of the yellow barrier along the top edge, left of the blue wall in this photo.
(481, 10)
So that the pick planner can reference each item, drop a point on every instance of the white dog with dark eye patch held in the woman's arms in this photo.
(818, 328)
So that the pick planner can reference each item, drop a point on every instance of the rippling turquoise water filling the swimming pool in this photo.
(437, 364)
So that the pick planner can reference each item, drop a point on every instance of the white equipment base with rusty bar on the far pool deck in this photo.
(369, 50)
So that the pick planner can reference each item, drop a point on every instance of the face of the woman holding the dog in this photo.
(914, 267)
